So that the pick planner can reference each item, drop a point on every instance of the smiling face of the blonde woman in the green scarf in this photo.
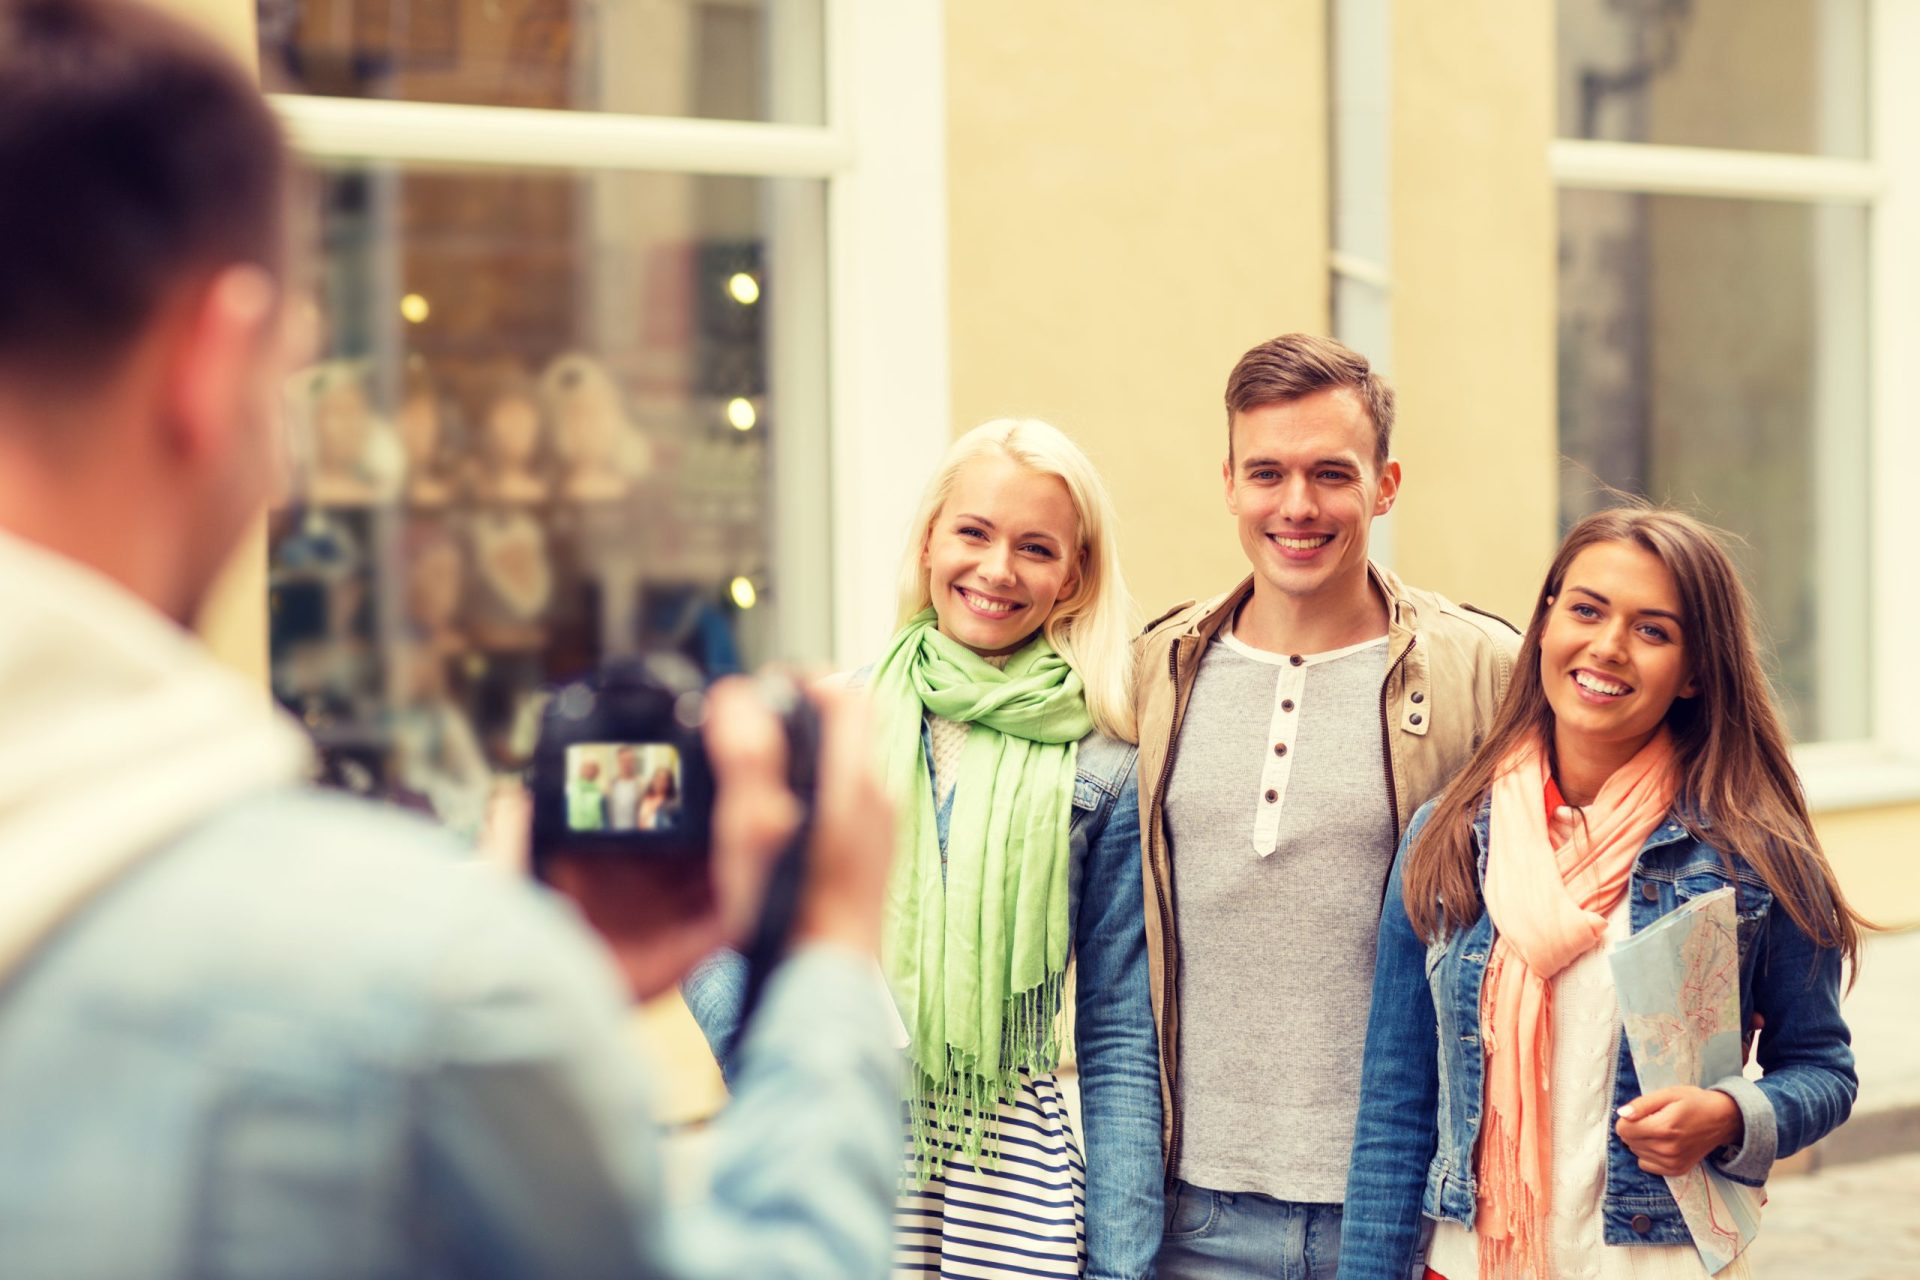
(1001, 554)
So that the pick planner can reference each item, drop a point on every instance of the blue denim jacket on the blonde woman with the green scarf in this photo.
(1115, 1024)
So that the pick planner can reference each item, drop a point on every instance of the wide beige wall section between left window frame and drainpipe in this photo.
(1134, 204)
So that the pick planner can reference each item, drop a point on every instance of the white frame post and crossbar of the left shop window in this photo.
(882, 154)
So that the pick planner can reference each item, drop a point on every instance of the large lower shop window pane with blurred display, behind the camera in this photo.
(556, 419)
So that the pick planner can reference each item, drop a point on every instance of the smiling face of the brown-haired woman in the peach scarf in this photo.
(1614, 653)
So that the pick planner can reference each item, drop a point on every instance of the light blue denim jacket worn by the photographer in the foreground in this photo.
(304, 1043)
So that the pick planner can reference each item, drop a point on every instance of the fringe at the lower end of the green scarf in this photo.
(959, 1114)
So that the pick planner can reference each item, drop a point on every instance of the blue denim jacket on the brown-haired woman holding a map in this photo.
(1420, 1112)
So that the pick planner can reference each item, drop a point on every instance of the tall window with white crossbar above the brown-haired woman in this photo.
(1717, 348)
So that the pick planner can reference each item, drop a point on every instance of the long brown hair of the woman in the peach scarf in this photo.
(1735, 767)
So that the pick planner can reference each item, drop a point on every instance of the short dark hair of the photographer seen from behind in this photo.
(133, 154)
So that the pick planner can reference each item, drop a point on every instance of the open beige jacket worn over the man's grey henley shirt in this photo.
(1447, 673)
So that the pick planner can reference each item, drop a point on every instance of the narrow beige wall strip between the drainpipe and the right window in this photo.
(1474, 300)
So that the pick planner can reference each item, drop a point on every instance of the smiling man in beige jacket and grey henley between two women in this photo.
(1289, 730)
